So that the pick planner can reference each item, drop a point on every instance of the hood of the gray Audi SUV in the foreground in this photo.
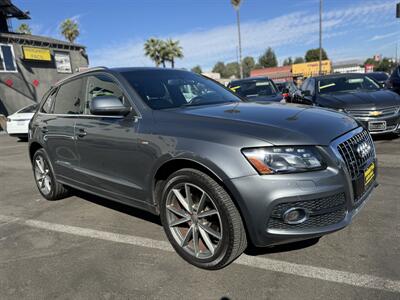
(276, 123)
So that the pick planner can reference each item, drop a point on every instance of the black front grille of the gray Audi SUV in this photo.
(355, 161)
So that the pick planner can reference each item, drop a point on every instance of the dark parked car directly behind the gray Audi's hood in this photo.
(256, 89)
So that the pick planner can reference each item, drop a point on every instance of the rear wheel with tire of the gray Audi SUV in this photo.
(45, 180)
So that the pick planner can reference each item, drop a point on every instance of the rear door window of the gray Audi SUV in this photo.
(69, 99)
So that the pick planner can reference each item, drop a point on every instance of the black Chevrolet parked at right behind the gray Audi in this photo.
(357, 95)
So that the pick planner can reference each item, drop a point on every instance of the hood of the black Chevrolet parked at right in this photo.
(360, 100)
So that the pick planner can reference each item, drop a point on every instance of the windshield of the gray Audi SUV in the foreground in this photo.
(162, 89)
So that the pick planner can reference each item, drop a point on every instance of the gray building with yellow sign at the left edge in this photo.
(29, 64)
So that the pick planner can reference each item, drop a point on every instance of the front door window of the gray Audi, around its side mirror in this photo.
(101, 85)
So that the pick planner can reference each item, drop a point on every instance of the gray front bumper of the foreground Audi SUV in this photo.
(259, 196)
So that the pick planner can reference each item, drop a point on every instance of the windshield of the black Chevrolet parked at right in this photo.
(346, 84)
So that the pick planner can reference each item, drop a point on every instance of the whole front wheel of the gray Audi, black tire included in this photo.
(213, 218)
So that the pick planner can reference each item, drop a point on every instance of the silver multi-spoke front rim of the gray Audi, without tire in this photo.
(194, 220)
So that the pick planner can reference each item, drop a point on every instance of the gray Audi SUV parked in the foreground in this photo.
(220, 172)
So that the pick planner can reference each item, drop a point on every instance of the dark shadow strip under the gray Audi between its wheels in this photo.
(123, 208)
